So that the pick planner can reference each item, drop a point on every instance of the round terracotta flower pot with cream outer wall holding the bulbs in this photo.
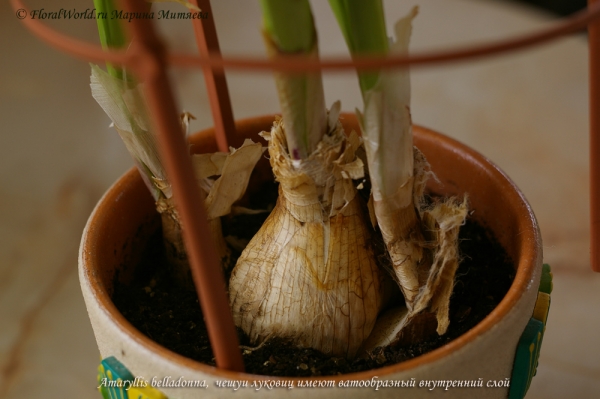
(122, 219)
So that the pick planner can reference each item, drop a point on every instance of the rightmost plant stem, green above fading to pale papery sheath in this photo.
(385, 121)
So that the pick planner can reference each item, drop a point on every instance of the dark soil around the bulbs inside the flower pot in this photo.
(172, 317)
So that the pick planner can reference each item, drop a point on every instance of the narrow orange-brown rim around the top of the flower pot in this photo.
(530, 256)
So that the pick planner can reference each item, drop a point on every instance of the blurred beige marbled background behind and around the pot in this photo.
(527, 111)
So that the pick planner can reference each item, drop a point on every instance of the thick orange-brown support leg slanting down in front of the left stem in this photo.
(204, 263)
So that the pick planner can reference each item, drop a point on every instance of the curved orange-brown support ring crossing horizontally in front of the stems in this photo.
(91, 52)
